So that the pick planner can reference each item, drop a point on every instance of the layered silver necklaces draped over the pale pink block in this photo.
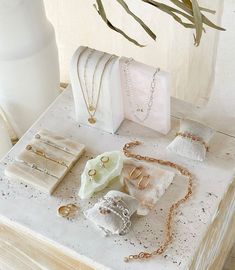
(136, 108)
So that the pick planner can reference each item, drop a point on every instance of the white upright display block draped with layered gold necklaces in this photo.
(91, 69)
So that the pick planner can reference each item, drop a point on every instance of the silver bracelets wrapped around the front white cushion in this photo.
(118, 207)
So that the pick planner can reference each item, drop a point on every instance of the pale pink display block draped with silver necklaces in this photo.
(136, 87)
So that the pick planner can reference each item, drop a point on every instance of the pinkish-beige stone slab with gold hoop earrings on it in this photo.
(147, 187)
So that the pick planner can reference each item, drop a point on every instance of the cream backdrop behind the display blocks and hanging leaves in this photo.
(77, 23)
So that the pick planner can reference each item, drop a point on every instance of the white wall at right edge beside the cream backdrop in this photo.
(220, 111)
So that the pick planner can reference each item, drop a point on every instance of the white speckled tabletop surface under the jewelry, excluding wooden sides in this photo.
(34, 211)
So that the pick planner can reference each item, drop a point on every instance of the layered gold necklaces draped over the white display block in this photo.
(90, 108)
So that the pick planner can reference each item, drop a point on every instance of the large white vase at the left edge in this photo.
(29, 66)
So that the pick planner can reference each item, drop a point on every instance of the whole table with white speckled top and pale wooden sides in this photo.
(203, 226)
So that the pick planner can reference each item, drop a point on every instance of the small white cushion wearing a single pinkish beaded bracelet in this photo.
(186, 147)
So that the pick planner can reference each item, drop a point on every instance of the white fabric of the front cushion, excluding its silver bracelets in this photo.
(110, 223)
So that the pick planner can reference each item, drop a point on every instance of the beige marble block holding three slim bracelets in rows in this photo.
(45, 161)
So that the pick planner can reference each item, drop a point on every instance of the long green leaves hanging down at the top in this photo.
(187, 13)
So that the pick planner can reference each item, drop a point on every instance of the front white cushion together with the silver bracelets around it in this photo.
(109, 222)
